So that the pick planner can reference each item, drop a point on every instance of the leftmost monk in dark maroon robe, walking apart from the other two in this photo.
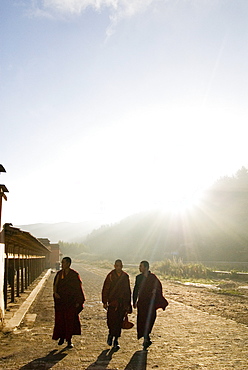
(69, 299)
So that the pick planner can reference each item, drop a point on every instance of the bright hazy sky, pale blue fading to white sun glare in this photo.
(109, 107)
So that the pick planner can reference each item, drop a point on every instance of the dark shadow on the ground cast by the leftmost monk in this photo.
(46, 362)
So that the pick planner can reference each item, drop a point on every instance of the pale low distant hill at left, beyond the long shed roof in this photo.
(65, 231)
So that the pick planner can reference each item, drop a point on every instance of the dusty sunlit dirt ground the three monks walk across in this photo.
(199, 330)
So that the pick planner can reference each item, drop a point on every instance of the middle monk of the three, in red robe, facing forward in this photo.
(116, 298)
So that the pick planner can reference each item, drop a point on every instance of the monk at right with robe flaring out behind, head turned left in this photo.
(147, 297)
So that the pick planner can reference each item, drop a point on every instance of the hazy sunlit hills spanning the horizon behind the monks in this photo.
(214, 230)
